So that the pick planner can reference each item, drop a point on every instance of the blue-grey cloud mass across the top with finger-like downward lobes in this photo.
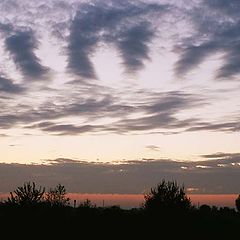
(82, 28)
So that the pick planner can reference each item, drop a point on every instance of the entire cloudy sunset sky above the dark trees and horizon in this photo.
(112, 96)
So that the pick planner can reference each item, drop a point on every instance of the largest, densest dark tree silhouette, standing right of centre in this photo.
(167, 197)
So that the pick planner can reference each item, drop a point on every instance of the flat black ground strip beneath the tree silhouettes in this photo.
(116, 223)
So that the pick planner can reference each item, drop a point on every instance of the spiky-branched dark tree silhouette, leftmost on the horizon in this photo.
(26, 195)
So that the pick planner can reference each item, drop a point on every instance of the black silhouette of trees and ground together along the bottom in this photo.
(167, 212)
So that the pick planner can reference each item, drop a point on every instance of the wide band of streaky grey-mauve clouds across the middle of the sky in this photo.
(154, 113)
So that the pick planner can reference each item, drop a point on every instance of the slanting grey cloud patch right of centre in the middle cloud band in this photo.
(161, 113)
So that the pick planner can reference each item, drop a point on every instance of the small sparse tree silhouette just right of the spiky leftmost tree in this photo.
(57, 196)
